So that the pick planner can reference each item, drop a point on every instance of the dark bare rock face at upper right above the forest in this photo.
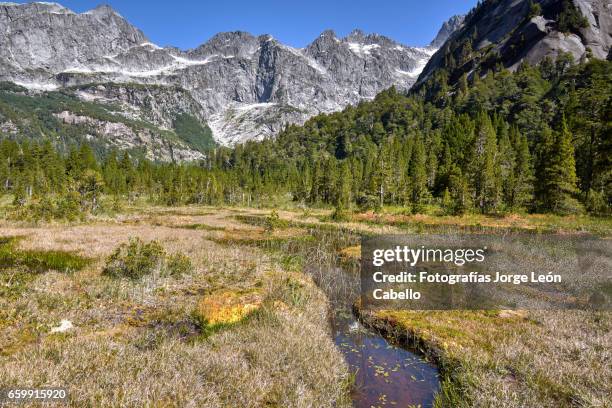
(510, 31)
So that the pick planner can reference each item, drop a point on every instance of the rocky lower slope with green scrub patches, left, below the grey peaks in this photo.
(76, 115)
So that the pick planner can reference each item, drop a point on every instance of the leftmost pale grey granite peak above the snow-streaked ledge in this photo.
(40, 39)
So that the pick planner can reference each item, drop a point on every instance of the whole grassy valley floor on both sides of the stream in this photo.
(245, 327)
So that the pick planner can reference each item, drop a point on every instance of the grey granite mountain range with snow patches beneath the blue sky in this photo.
(245, 87)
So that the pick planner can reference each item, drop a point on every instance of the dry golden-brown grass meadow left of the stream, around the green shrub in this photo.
(140, 343)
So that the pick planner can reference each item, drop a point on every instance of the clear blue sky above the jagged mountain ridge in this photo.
(187, 24)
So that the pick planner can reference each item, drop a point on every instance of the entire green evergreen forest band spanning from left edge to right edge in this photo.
(534, 140)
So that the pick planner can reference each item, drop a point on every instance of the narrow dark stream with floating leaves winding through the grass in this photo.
(386, 375)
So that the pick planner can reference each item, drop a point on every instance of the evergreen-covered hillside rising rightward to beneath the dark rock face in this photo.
(537, 139)
